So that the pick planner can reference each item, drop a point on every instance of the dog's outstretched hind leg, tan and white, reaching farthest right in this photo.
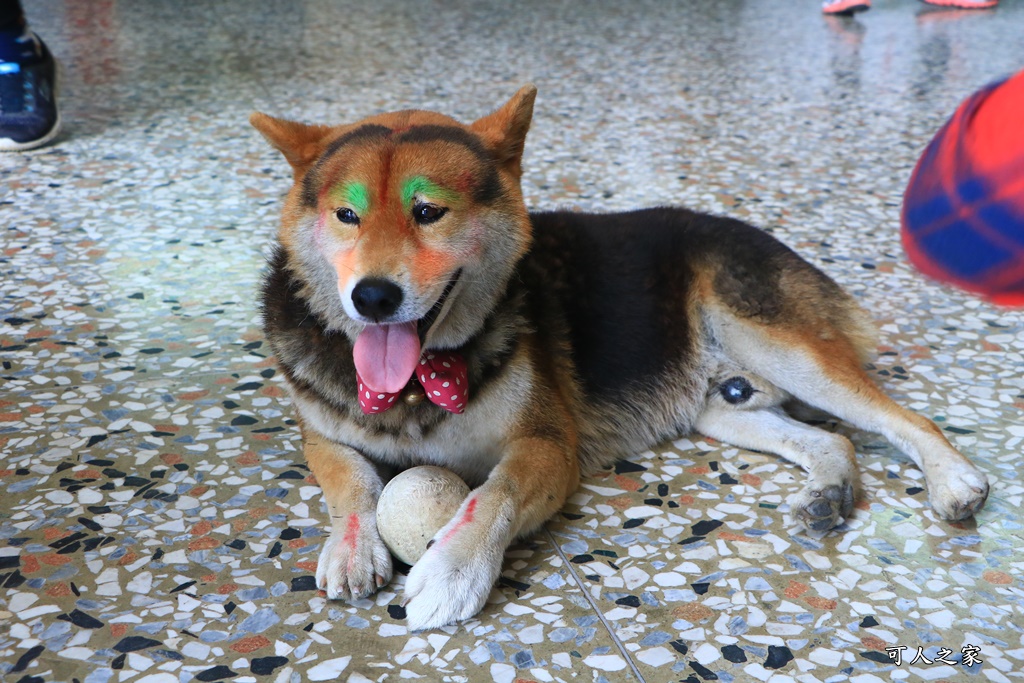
(826, 372)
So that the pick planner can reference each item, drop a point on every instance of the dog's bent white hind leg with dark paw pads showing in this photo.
(829, 458)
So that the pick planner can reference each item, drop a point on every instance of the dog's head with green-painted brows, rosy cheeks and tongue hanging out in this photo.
(406, 227)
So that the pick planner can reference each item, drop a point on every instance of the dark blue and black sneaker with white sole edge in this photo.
(29, 116)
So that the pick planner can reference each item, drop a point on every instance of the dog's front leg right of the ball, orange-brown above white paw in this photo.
(453, 580)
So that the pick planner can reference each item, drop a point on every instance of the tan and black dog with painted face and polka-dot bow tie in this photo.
(422, 316)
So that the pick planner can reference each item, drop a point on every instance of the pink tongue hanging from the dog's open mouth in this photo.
(386, 356)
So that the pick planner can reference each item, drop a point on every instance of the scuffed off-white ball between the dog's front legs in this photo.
(414, 506)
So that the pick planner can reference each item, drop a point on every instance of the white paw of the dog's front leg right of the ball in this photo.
(446, 586)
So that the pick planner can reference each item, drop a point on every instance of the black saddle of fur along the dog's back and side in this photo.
(619, 286)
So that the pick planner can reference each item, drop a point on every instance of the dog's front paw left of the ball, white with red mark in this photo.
(355, 562)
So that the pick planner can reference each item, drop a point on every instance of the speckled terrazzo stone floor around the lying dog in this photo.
(158, 523)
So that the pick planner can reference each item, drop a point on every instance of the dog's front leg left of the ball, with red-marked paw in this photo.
(355, 562)
